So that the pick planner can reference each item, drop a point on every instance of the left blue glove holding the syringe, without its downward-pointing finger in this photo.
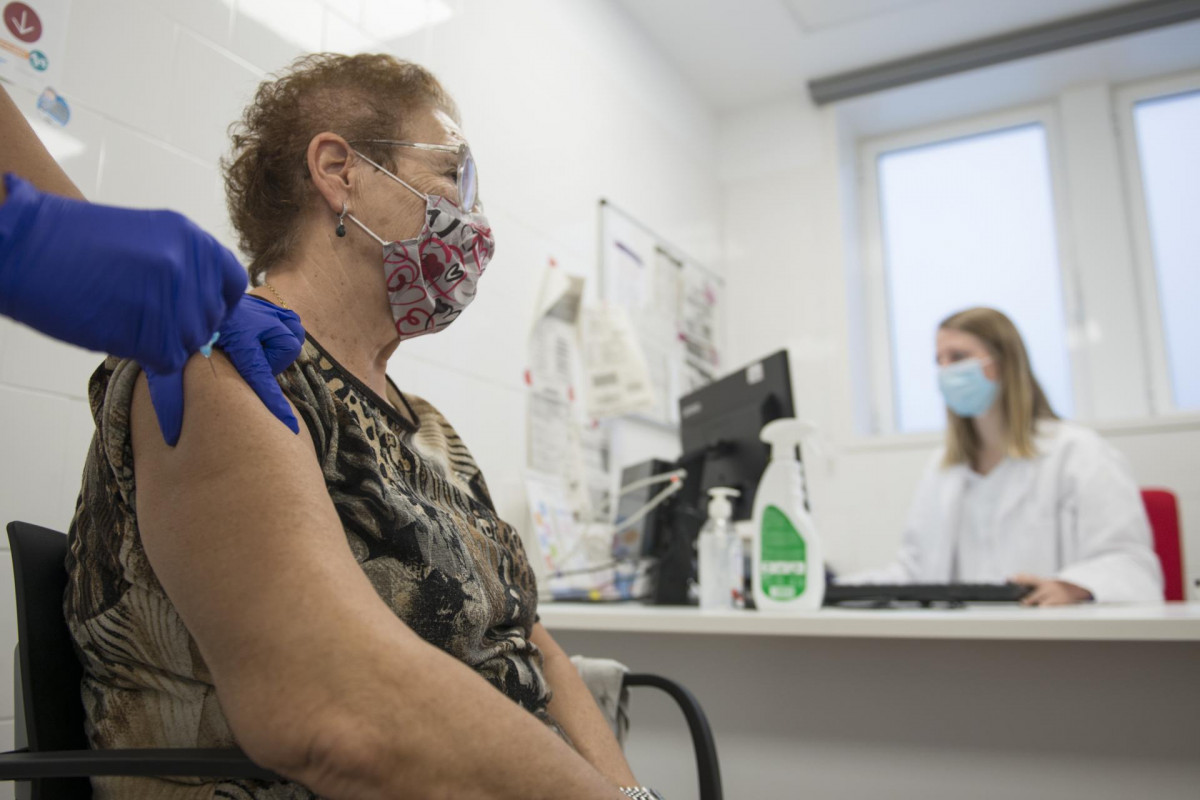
(149, 286)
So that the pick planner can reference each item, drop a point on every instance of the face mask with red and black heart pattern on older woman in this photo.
(434, 278)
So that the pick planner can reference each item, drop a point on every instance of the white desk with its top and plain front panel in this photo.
(988, 702)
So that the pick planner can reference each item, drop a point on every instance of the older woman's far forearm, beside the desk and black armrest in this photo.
(574, 708)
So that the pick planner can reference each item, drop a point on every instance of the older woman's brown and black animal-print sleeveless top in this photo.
(419, 521)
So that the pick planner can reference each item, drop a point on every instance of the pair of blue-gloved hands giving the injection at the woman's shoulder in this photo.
(149, 286)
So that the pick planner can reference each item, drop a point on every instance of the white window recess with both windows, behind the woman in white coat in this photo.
(1077, 214)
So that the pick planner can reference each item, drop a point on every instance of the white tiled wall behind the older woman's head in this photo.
(563, 104)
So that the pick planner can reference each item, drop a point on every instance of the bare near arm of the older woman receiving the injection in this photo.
(319, 679)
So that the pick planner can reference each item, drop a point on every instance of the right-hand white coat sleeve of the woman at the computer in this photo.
(1105, 516)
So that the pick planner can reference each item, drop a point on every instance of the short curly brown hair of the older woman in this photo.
(267, 175)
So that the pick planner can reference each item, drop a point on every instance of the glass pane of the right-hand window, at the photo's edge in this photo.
(1168, 136)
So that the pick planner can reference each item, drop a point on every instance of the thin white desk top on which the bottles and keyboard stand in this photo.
(1091, 623)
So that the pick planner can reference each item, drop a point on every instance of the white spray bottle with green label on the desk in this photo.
(789, 566)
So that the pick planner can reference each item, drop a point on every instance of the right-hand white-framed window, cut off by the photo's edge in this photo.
(1162, 127)
